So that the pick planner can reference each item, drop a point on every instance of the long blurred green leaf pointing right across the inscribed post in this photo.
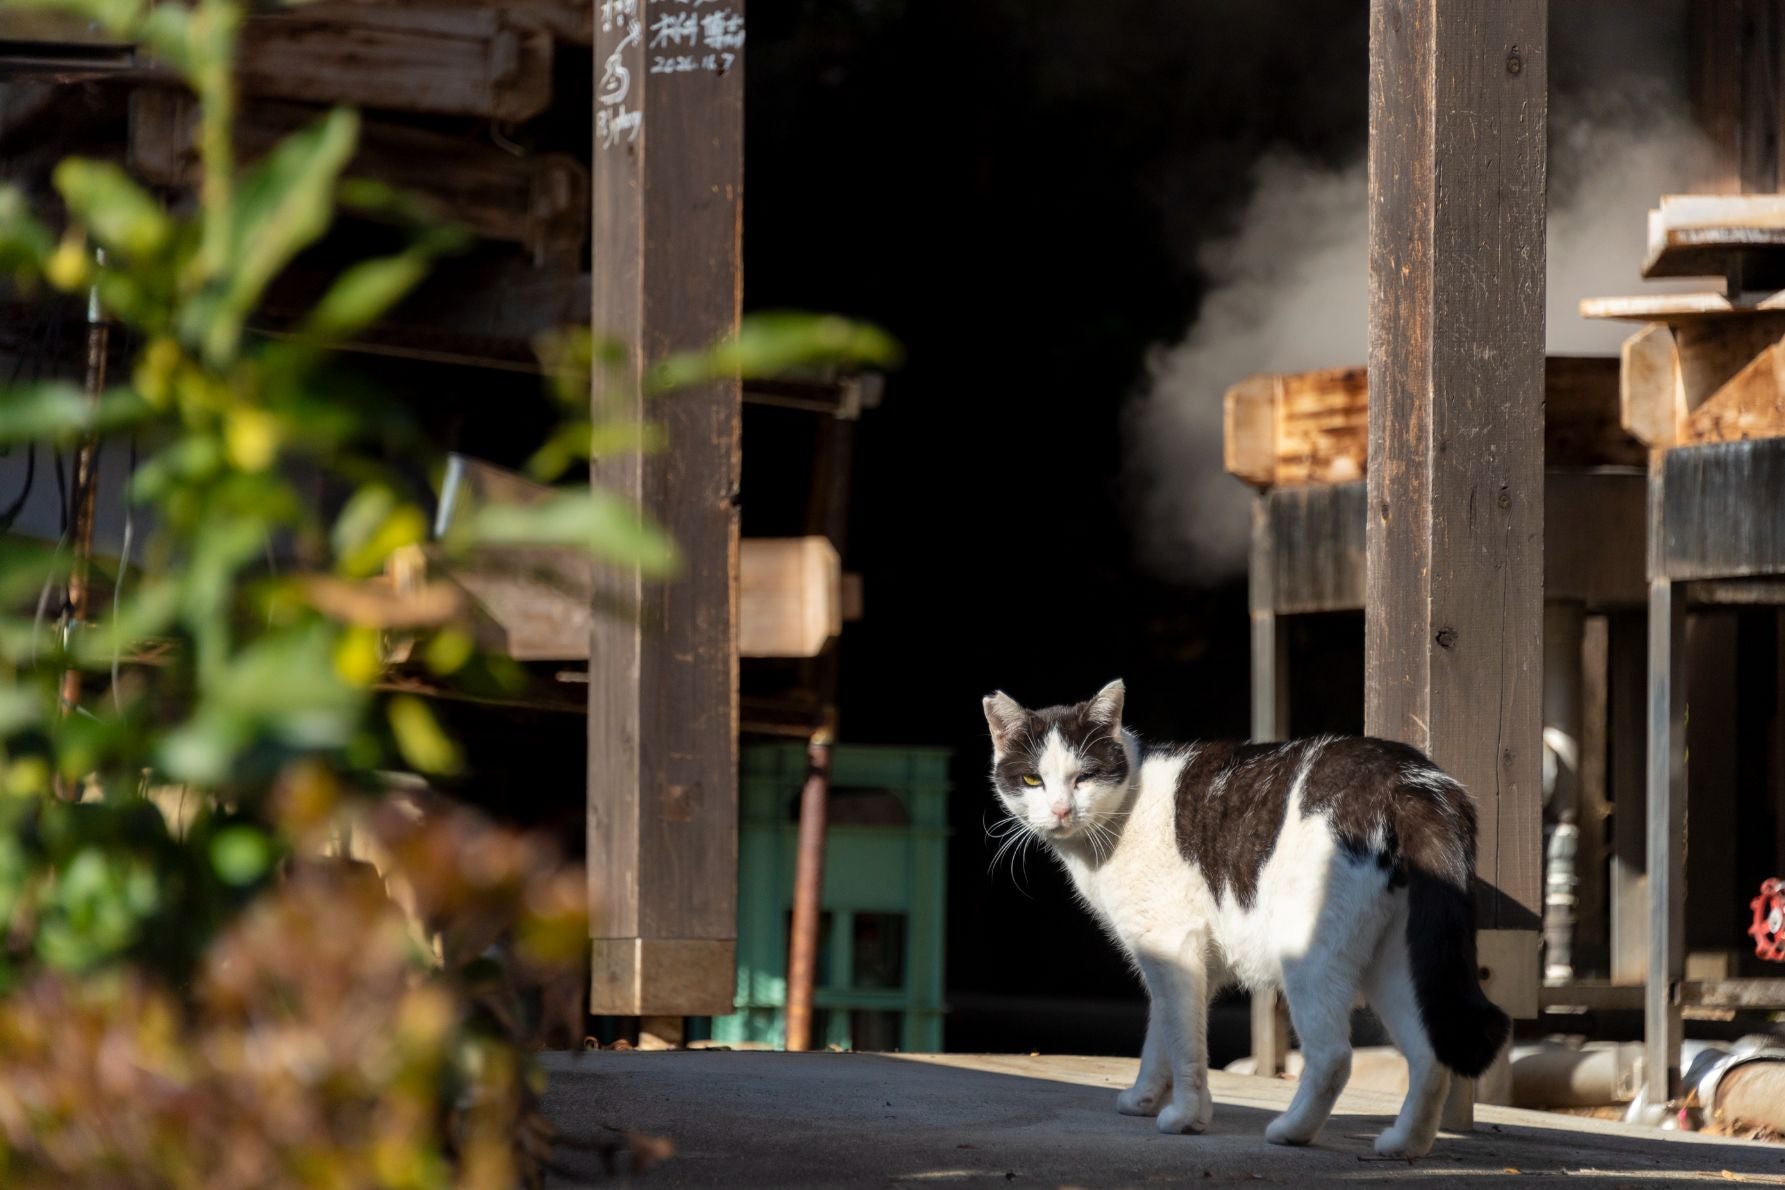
(770, 345)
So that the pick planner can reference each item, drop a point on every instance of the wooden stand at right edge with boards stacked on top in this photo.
(1702, 388)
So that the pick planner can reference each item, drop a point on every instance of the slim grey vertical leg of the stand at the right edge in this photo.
(1666, 852)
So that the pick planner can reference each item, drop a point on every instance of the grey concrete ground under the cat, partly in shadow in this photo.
(767, 1120)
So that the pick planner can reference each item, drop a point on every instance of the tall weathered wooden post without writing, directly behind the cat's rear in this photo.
(1454, 613)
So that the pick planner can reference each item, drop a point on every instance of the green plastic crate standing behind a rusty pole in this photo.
(881, 941)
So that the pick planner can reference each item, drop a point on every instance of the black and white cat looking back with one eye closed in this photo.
(1331, 868)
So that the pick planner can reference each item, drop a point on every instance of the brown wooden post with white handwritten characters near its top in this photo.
(663, 684)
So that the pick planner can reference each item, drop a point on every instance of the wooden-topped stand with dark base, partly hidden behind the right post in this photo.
(1309, 547)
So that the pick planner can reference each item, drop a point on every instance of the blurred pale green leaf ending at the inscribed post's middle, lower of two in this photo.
(601, 522)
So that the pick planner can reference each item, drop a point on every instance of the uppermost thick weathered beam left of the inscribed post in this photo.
(447, 60)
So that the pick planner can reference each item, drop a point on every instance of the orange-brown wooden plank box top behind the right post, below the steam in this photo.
(1300, 429)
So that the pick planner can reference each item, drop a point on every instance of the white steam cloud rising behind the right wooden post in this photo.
(1288, 292)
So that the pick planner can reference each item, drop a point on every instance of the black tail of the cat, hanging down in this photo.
(1436, 832)
